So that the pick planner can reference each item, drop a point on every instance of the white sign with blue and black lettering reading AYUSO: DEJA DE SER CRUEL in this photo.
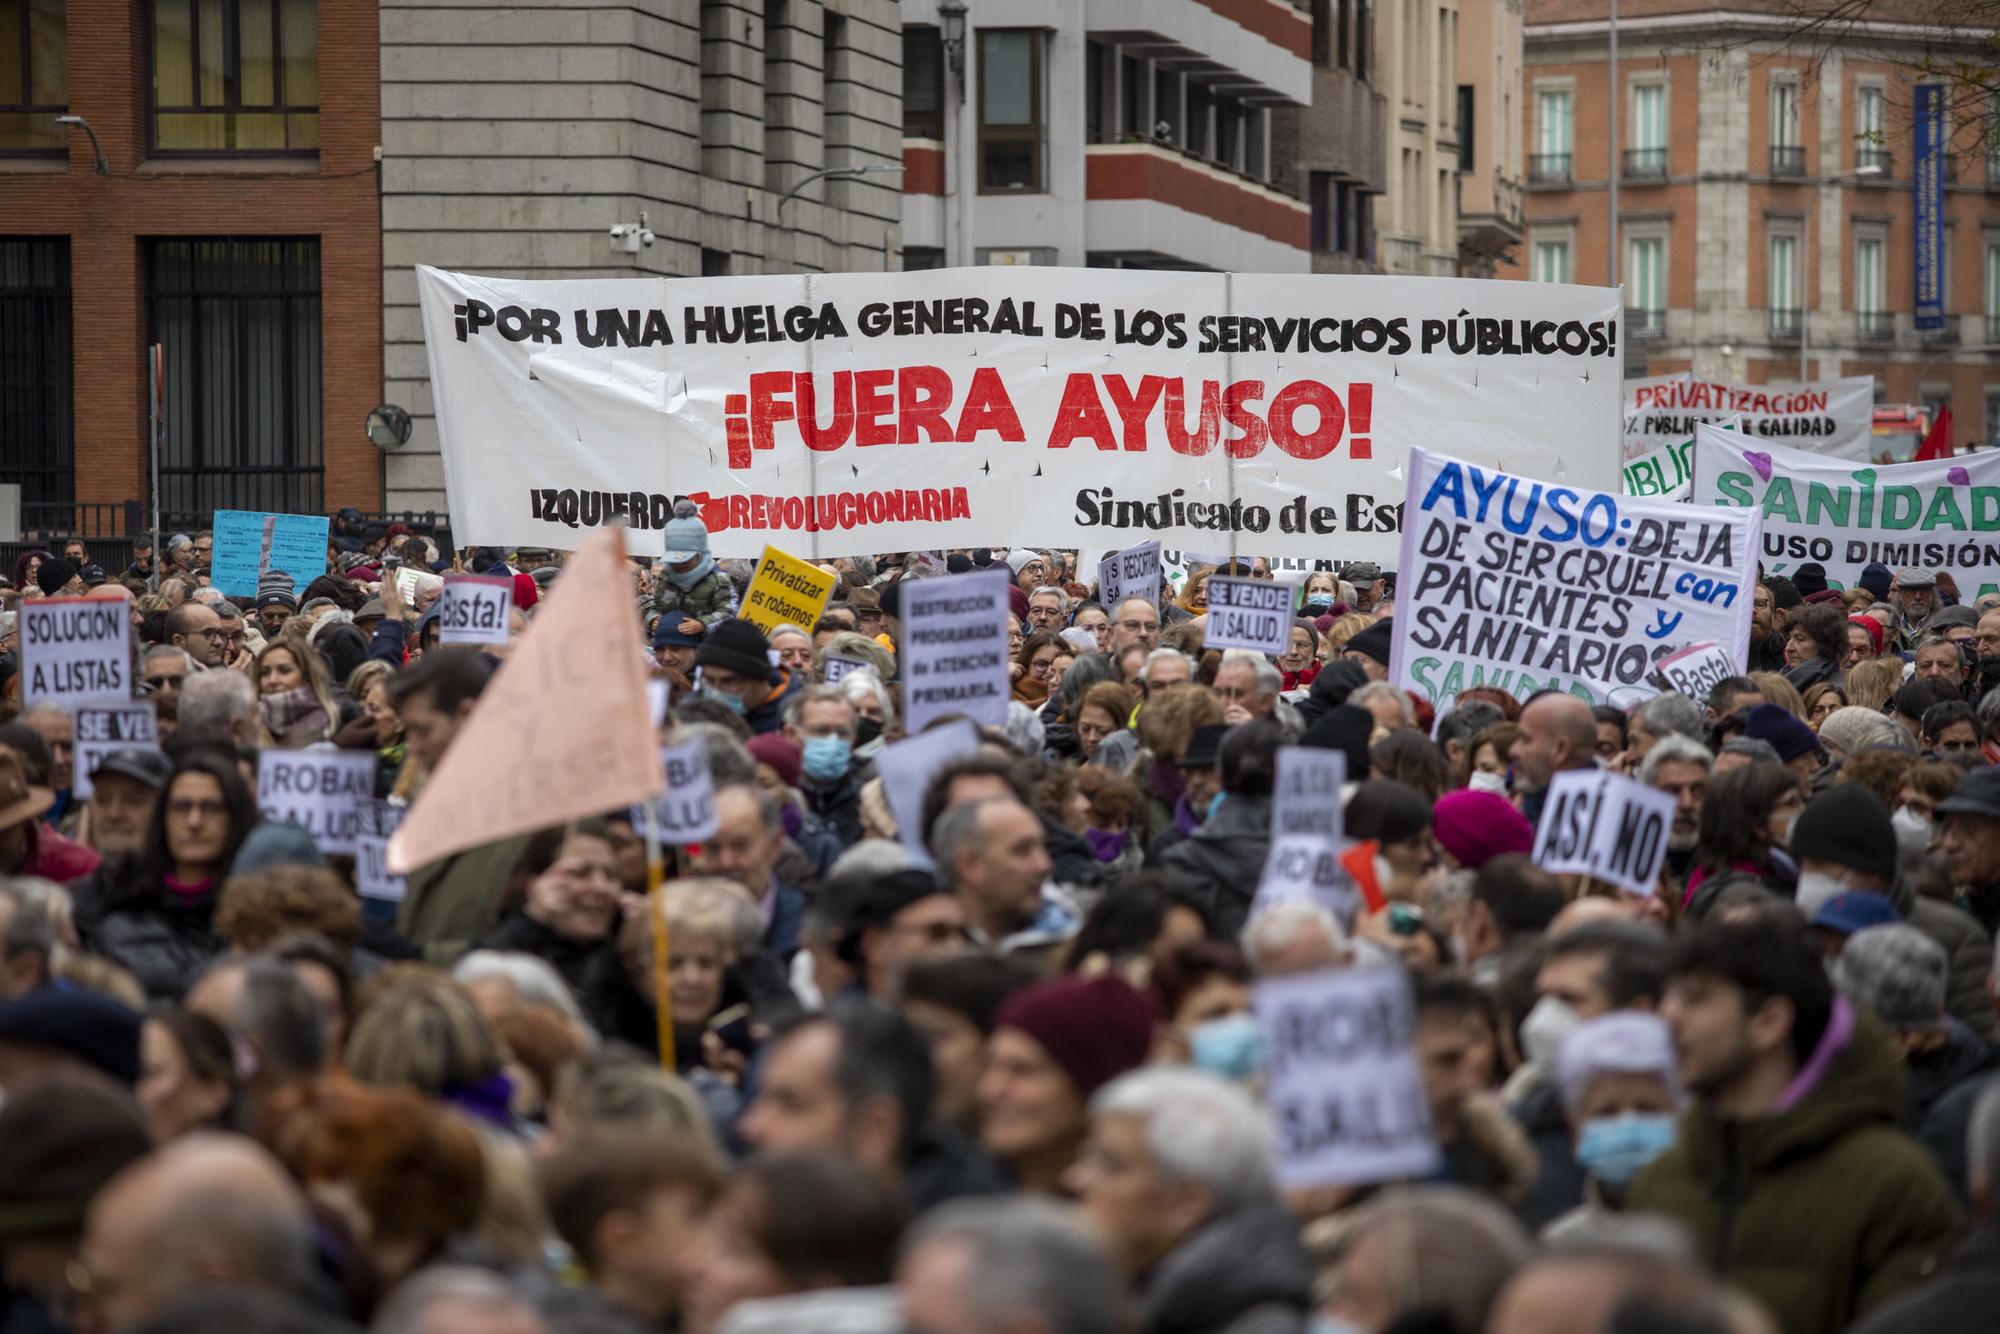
(1531, 587)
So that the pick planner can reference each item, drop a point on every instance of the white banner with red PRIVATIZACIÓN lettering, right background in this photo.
(1829, 417)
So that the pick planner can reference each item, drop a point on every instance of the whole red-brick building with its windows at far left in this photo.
(237, 221)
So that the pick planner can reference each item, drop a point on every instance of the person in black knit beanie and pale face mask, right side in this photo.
(1845, 843)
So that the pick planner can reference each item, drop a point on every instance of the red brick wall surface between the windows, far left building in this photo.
(109, 219)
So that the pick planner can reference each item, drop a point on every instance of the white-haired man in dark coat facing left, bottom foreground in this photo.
(1177, 1183)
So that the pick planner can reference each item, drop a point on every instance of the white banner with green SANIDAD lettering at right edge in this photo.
(1941, 515)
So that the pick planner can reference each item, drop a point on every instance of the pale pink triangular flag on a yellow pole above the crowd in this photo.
(561, 733)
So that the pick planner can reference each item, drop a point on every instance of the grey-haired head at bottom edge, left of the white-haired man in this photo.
(1007, 1265)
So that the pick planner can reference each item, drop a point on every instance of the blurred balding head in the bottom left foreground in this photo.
(203, 1211)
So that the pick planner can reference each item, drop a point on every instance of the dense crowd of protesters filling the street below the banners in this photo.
(1015, 1085)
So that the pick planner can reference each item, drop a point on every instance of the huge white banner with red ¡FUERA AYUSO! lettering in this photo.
(857, 413)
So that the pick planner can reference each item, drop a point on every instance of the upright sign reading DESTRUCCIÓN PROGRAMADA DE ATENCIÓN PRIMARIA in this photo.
(955, 649)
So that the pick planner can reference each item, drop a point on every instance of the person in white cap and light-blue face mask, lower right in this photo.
(1621, 1095)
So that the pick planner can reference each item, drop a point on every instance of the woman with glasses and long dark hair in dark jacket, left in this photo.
(153, 911)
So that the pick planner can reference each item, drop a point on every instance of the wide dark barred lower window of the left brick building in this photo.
(239, 323)
